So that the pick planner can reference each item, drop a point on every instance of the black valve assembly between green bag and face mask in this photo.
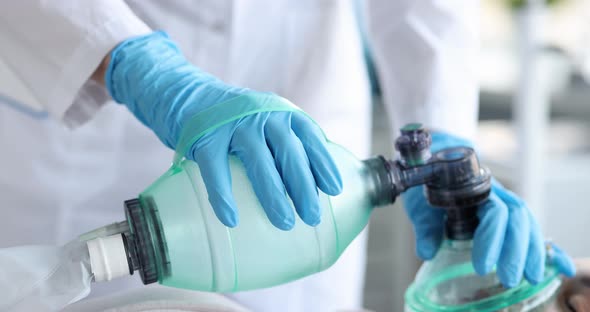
(453, 178)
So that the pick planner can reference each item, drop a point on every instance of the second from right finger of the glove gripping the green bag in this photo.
(293, 166)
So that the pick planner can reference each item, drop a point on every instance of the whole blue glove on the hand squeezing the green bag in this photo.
(283, 152)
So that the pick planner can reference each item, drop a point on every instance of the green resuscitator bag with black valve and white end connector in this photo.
(172, 236)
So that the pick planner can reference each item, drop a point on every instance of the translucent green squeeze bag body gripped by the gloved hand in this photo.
(205, 255)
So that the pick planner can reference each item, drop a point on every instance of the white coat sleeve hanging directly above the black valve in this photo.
(425, 56)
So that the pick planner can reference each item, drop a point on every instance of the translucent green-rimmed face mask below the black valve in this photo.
(449, 283)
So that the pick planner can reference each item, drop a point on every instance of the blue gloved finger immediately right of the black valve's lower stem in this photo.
(489, 235)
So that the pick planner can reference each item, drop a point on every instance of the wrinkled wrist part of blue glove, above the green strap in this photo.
(150, 76)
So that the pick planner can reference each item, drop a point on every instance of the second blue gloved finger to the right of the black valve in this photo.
(516, 242)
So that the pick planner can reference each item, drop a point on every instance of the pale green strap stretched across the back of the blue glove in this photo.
(228, 111)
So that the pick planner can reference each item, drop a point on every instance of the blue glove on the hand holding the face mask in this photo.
(507, 236)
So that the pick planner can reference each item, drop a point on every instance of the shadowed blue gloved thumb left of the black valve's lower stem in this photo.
(428, 222)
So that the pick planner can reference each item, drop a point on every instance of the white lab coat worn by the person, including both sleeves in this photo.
(57, 182)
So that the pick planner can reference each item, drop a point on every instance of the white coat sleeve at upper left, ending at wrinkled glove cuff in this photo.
(53, 47)
